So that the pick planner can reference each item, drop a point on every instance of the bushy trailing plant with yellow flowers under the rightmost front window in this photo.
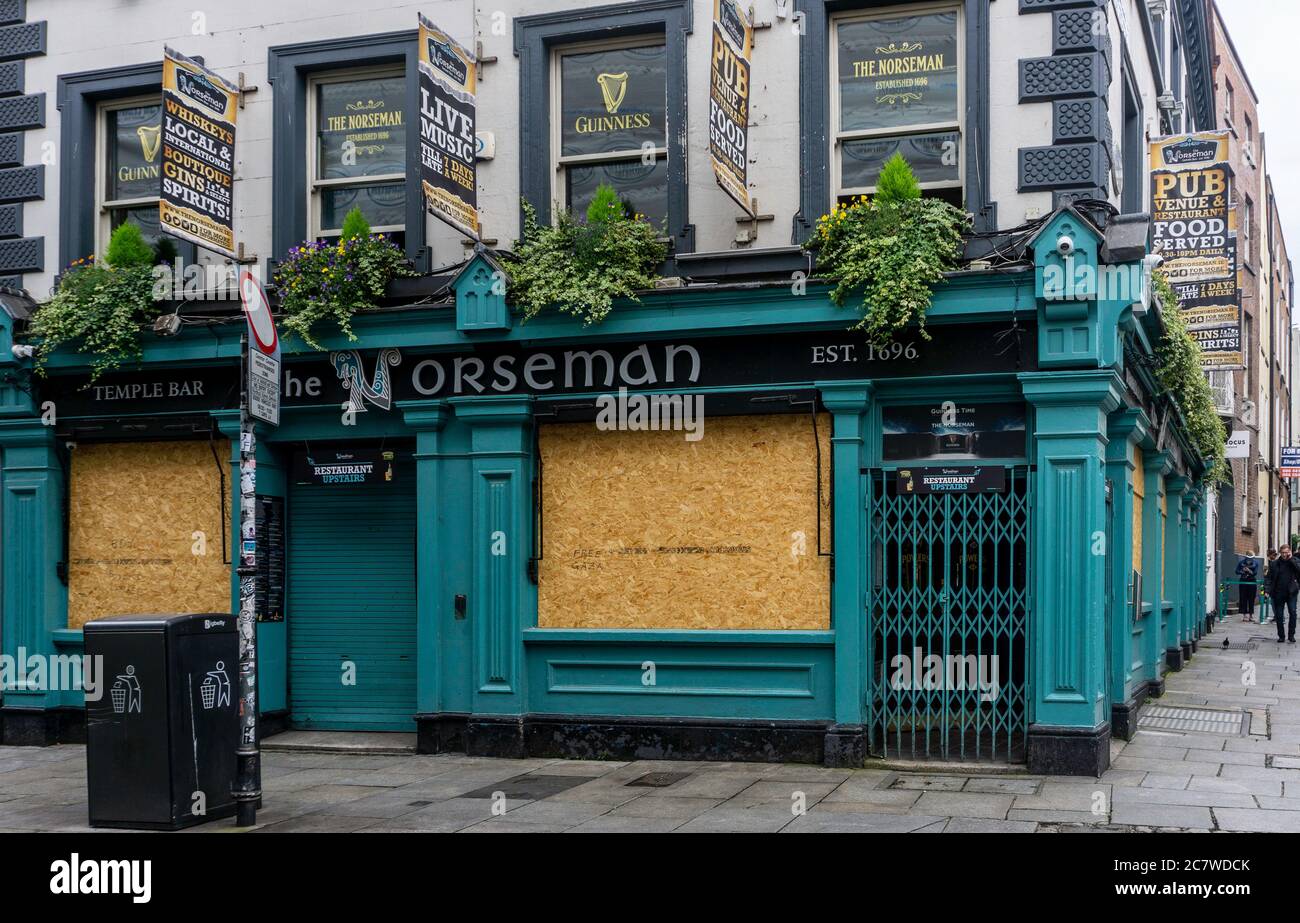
(894, 249)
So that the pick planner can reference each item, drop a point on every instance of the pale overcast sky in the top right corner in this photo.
(1264, 33)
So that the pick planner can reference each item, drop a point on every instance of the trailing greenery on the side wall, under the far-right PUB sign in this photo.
(1180, 372)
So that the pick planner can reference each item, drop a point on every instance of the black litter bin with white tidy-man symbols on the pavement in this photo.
(167, 721)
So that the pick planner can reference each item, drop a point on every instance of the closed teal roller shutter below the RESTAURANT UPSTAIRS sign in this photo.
(353, 599)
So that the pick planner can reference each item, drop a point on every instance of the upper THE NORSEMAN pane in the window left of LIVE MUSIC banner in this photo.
(361, 128)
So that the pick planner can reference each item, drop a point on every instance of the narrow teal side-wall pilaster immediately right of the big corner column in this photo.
(1125, 428)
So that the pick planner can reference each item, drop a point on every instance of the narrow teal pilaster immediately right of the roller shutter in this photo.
(428, 418)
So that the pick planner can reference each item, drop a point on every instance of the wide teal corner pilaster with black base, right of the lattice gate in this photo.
(1069, 727)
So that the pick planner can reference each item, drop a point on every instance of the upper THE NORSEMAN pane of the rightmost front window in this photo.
(898, 72)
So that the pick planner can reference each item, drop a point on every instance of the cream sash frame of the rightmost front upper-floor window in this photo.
(839, 138)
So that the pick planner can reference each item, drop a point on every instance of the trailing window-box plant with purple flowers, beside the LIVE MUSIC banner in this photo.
(320, 280)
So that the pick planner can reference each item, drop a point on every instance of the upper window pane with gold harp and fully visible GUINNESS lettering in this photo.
(613, 101)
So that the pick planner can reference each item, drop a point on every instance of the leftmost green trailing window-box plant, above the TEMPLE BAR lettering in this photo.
(101, 305)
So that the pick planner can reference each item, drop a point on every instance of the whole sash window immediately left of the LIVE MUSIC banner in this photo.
(358, 151)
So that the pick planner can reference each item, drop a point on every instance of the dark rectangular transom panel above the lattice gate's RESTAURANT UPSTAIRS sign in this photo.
(954, 431)
